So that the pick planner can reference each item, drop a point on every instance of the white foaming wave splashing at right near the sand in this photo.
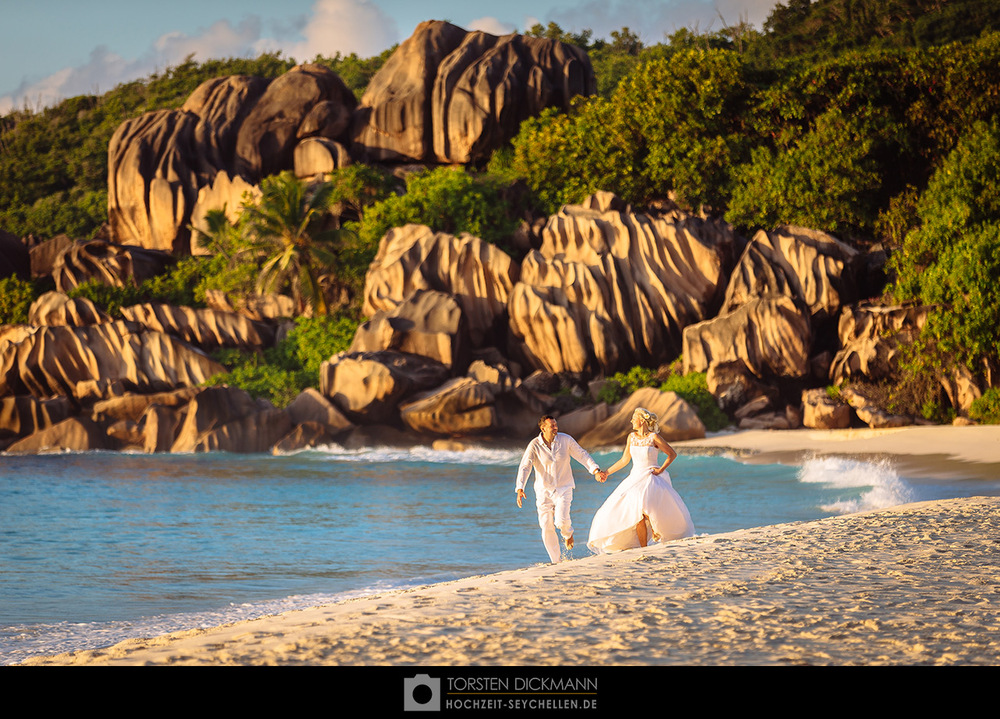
(881, 485)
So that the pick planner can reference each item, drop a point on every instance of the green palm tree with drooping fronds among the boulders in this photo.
(290, 227)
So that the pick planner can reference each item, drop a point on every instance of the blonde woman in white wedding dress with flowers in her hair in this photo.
(645, 504)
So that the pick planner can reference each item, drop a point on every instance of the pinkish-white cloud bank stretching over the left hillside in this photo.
(344, 26)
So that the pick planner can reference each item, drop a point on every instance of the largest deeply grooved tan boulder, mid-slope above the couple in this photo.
(610, 289)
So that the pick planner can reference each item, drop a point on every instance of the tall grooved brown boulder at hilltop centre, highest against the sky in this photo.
(453, 96)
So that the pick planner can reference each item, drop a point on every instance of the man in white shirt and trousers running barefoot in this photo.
(549, 454)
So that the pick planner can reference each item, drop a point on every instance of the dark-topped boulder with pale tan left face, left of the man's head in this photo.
(367, 387)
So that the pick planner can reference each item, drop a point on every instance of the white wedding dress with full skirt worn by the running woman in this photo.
(640, 493)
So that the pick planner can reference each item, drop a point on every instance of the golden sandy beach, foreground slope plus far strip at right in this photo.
(917, 584)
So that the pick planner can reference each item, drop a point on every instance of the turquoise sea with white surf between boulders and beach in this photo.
(100, 547)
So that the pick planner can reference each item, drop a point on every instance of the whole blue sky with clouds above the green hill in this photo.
(51, 49)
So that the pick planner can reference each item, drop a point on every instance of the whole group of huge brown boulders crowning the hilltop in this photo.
(445, 95)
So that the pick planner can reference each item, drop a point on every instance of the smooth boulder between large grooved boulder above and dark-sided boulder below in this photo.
(428, 323)
